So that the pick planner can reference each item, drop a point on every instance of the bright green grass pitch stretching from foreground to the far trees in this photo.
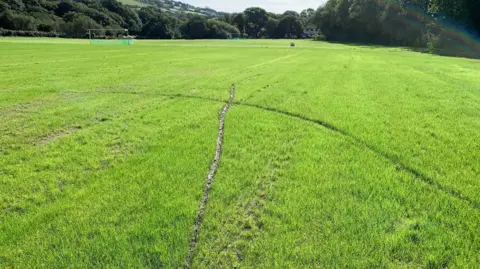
(334, 156)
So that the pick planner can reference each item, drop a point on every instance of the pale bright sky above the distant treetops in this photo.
(275, 6)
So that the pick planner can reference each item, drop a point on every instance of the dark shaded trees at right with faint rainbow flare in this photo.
(438, 25)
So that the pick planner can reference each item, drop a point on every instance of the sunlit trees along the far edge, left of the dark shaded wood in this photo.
(71, 19)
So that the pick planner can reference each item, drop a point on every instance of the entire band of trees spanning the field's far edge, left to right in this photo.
(437, 25)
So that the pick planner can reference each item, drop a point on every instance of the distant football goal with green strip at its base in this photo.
(109, 37)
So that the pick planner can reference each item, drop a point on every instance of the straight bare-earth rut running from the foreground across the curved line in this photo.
(209, 182)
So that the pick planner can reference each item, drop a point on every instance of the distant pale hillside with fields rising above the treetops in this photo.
(175, 7)
